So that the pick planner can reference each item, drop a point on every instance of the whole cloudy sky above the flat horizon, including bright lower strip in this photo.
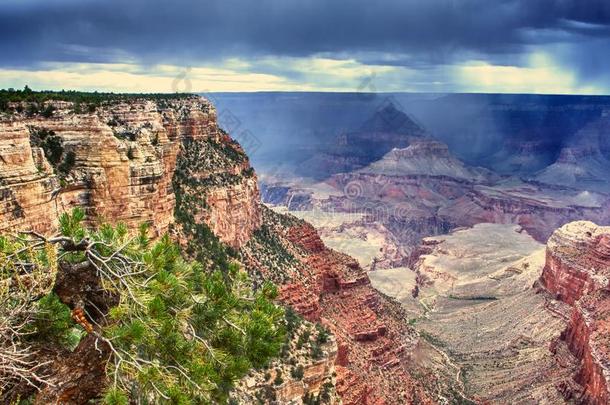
(508, 46)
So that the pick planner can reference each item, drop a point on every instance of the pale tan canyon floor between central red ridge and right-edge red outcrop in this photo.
(482, 324)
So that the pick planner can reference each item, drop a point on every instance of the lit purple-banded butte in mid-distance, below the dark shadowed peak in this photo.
(421, 191)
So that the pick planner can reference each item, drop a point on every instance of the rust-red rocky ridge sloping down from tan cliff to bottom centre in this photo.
(373, 337)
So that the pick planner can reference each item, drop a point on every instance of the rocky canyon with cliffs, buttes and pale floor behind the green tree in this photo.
(451, 295)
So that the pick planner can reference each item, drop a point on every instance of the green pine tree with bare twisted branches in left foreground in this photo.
(177, 332)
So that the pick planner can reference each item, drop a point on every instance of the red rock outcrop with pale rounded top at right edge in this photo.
(577, 272)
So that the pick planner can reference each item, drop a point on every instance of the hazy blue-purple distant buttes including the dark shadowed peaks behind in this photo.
(419, 187)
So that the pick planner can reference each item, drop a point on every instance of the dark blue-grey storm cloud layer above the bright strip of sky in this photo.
(395, 32)
